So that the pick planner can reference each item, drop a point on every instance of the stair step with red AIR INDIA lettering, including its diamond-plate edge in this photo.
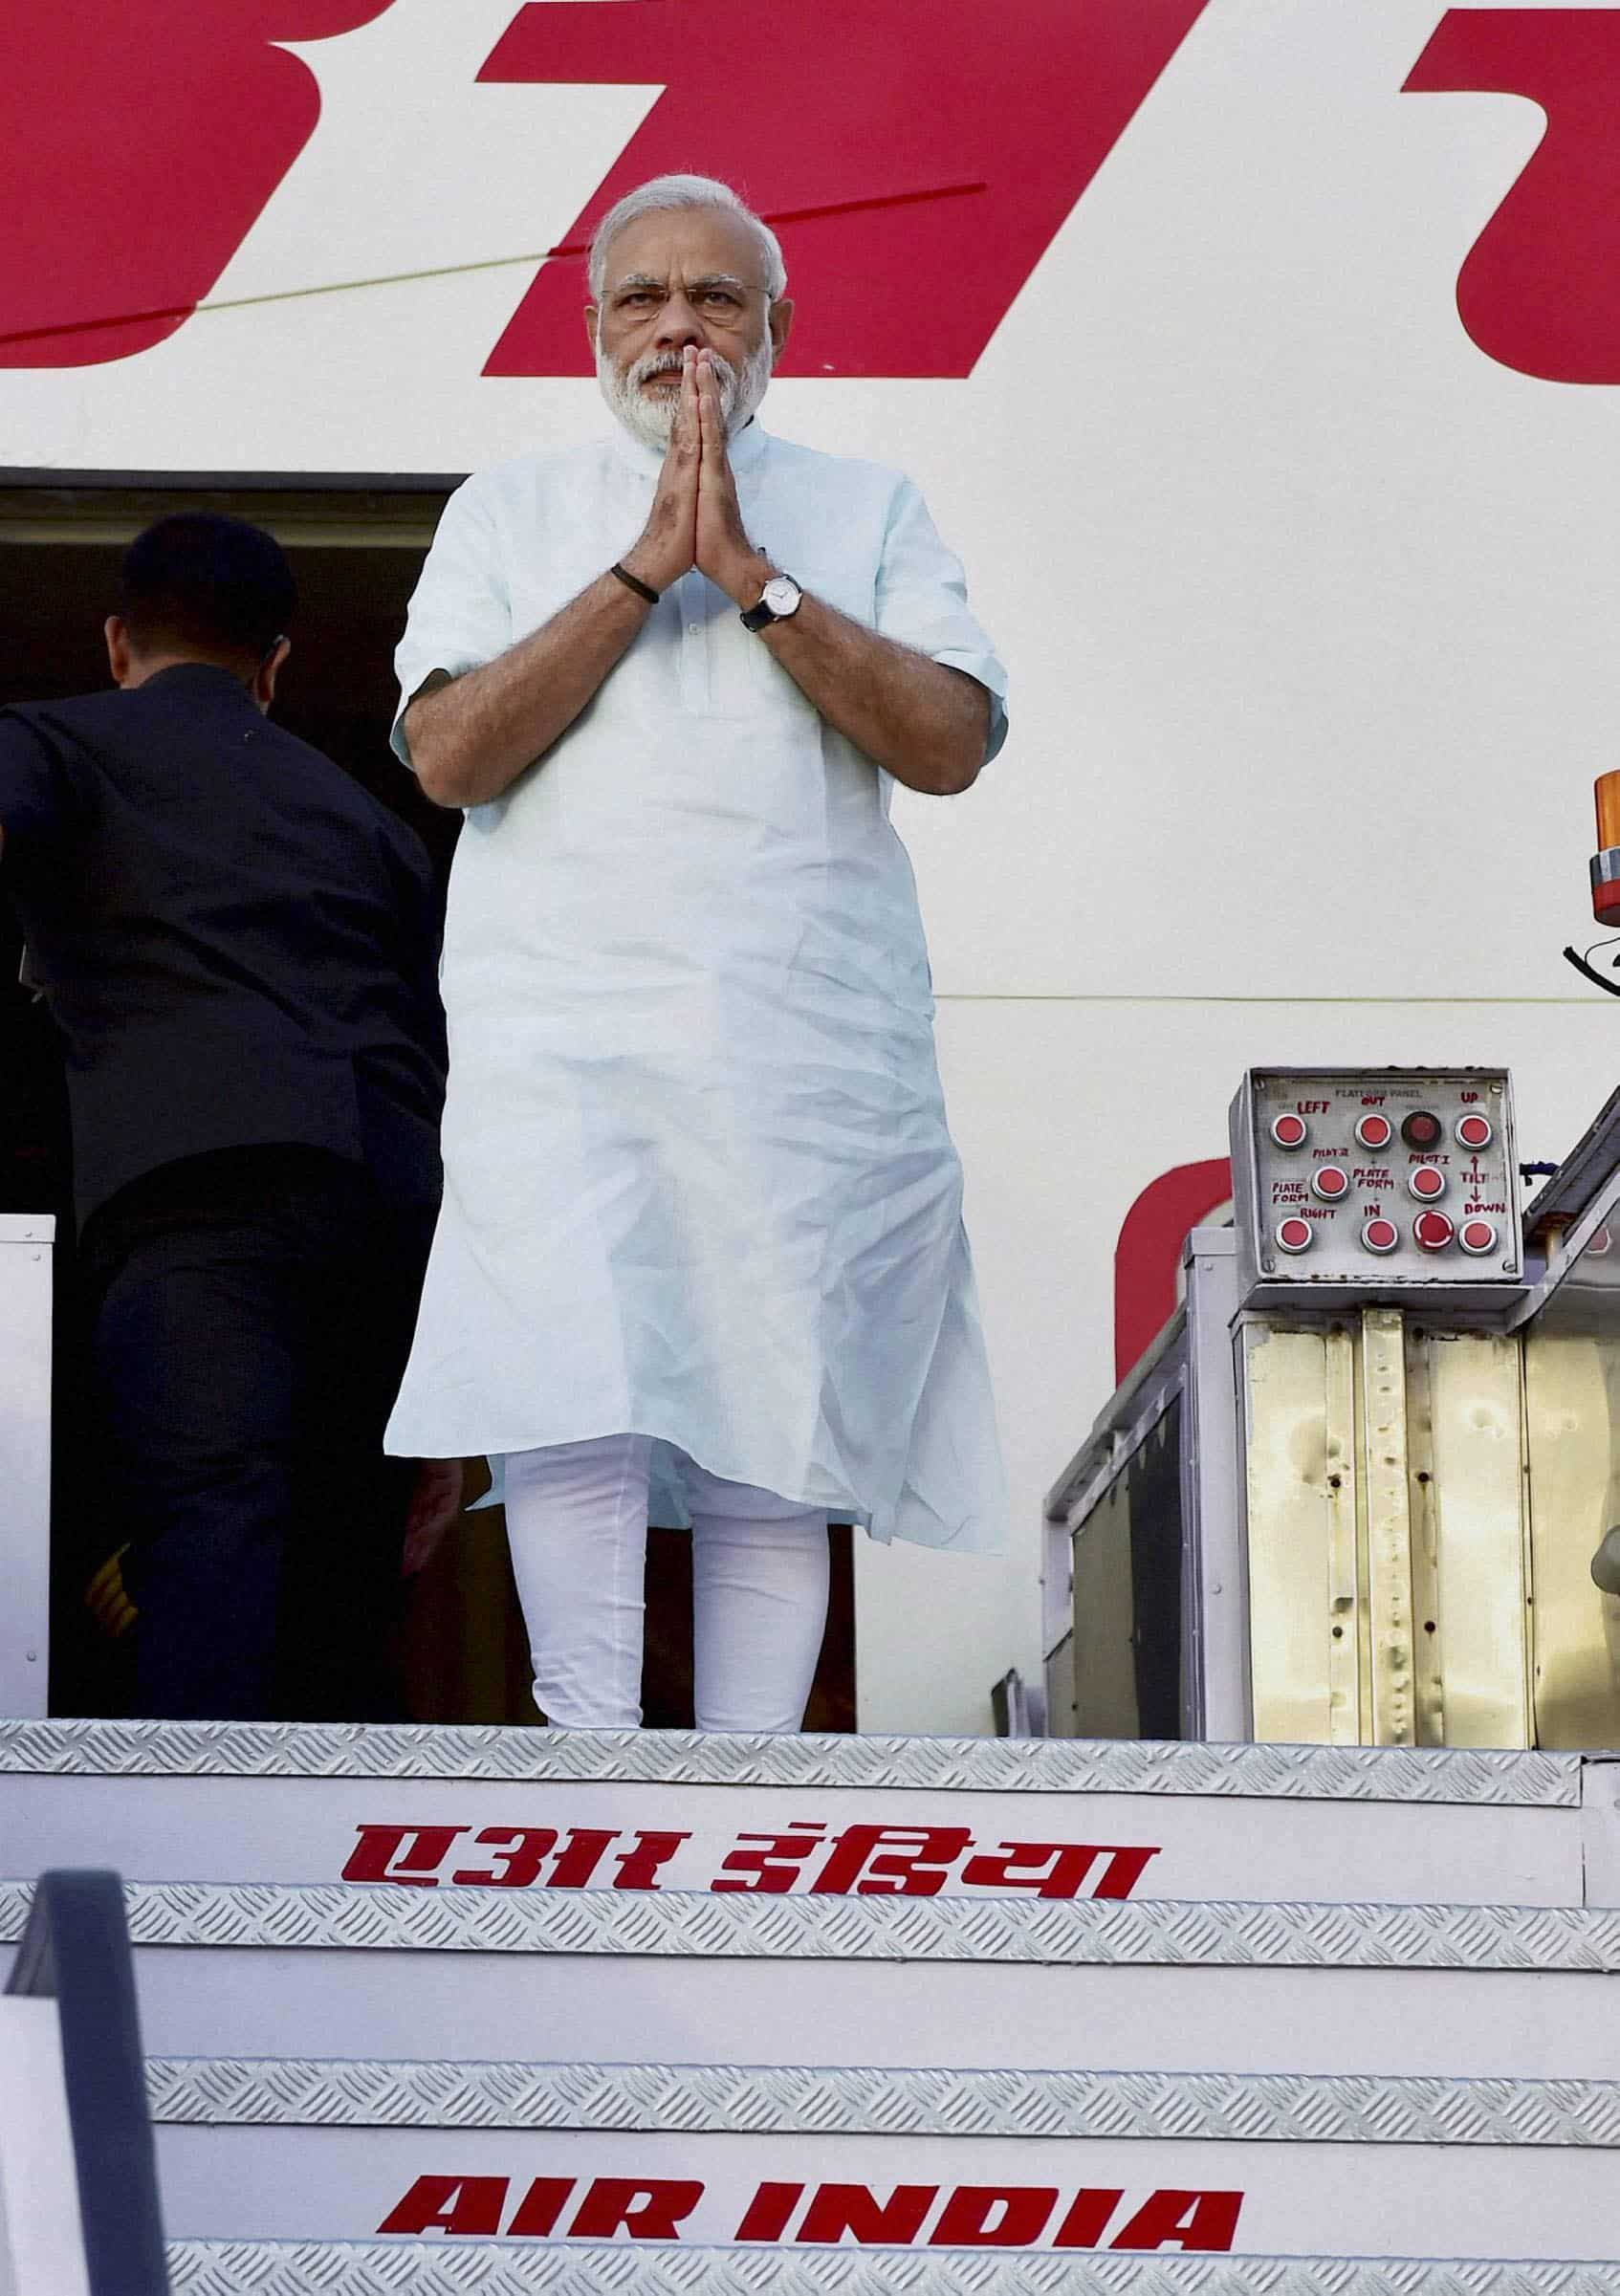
(304, 2150)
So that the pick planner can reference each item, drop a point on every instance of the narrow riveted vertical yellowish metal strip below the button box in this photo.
(1389, 1526)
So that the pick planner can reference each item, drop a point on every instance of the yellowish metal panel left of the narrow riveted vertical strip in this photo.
(1293, 1452)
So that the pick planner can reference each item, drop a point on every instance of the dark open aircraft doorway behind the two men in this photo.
(357, 548)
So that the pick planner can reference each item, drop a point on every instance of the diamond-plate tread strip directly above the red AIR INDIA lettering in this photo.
(802, 2100)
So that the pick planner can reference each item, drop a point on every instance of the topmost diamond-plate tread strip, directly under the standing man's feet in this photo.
(818, 1762)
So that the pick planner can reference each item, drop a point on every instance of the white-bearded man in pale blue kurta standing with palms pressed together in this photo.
(701, 1241)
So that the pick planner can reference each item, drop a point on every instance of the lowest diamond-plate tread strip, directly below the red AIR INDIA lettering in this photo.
(522, 2270)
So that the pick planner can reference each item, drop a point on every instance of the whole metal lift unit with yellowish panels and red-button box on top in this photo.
(1364, 1484)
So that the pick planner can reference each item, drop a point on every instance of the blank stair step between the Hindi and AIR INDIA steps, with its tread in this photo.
(951, 1983)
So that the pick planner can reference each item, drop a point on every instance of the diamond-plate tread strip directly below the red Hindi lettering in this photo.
(747, 1925)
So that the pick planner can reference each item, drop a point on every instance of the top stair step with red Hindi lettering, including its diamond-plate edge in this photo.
(676, 1810)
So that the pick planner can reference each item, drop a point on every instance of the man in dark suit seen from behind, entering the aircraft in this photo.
(240, 954)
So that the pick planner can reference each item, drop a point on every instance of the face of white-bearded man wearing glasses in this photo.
(690, 277)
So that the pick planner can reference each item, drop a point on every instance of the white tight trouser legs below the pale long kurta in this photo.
(577, 1519)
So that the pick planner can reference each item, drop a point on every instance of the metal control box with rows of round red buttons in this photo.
(1376, 1179)
